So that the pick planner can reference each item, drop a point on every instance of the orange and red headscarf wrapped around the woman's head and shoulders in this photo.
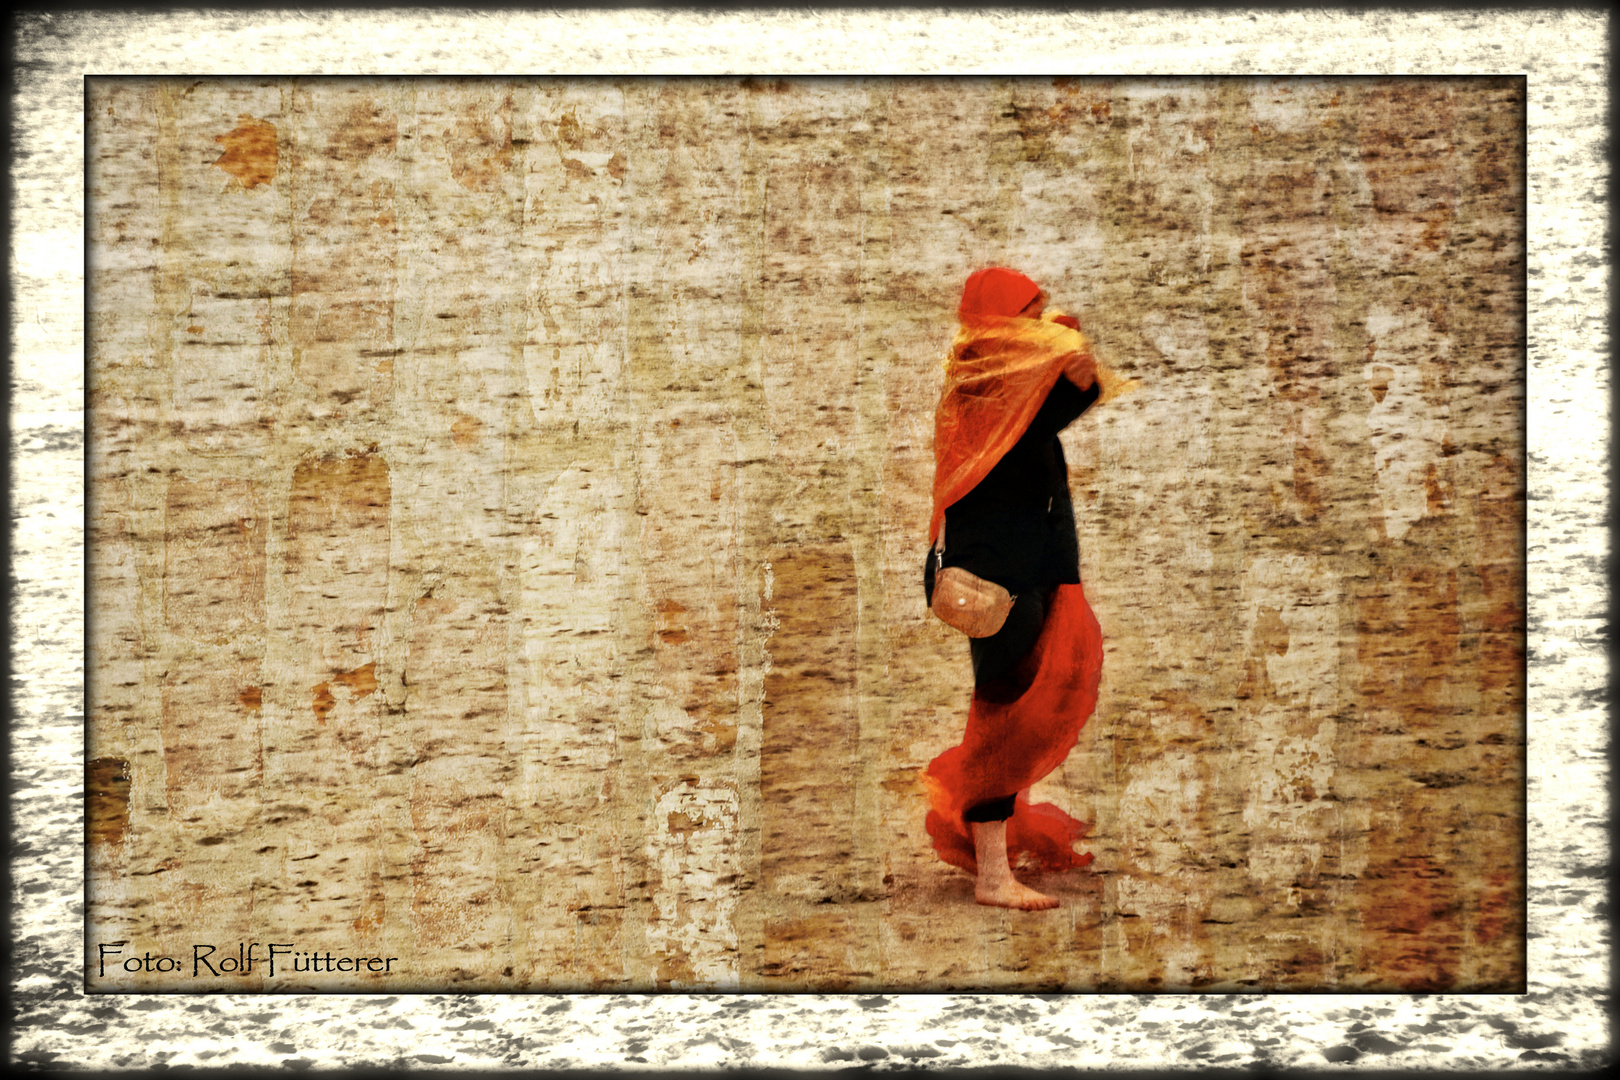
(999, 375)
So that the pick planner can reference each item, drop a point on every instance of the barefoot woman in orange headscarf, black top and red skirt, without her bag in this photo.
(1002, 512)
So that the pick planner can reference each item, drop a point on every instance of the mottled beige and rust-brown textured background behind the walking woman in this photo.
(508, 506)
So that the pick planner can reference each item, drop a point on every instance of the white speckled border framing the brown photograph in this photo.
(1559, 1024)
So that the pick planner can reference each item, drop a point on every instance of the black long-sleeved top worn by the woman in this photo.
(1017, 527)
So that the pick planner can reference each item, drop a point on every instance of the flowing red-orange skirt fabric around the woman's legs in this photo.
(1012, 746)
